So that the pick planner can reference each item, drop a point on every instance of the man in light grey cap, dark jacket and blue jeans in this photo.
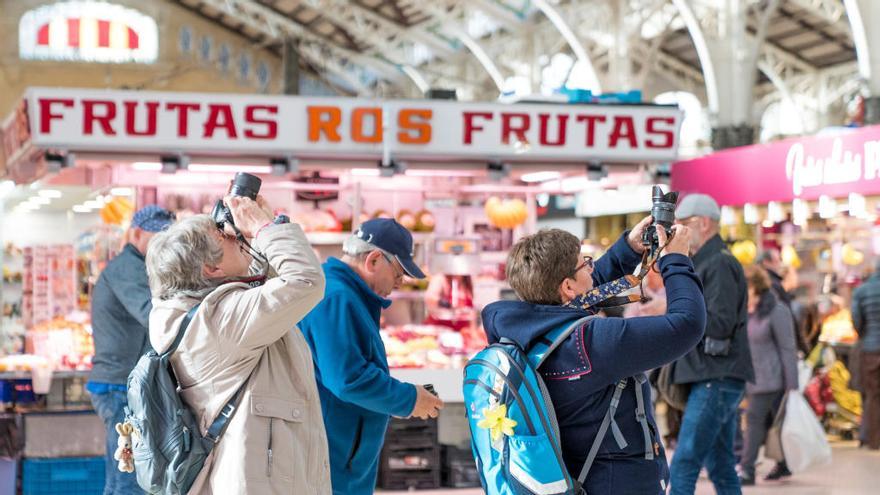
(719, 367)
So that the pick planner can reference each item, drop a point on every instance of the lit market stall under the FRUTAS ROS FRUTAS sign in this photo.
(461, 176)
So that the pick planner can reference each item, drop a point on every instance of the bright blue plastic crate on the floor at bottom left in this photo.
(64, 476)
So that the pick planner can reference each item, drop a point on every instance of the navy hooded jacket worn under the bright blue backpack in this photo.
(581, 374)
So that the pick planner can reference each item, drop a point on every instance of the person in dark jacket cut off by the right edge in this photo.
(866, 320)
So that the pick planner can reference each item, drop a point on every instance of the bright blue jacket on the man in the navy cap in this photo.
(357, 392)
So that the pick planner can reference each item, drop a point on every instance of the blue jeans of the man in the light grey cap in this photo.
(706, 439)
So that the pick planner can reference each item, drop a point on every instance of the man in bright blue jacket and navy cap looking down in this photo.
(357, 392)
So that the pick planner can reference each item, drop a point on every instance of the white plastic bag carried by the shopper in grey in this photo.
(803, 438)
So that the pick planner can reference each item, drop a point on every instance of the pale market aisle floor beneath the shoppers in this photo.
(852, 472)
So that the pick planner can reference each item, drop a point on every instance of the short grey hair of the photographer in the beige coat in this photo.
(176, 256)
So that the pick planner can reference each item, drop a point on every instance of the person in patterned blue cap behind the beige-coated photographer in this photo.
(120, 315)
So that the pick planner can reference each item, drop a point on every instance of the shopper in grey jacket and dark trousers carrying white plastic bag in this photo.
(774, 358)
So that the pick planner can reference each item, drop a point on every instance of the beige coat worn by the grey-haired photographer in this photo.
(239, 332)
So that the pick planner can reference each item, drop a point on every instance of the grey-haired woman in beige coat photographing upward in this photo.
(241, 335)
